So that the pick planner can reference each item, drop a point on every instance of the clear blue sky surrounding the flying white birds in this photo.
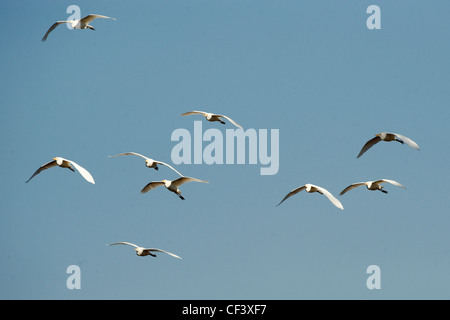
(311, 69)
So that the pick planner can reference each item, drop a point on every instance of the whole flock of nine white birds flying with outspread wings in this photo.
(173, 185)
